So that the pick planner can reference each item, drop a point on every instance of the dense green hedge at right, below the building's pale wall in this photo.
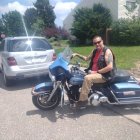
(125, 32)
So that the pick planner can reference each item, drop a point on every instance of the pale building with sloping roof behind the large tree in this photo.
(117, 9)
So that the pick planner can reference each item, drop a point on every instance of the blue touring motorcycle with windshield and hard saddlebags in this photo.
(67, 80)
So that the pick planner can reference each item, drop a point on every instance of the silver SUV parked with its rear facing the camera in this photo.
(23, 57)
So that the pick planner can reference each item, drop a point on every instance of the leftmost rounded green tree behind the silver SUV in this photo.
(13, 24)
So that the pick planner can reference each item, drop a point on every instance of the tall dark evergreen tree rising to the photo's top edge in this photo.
(45, 12)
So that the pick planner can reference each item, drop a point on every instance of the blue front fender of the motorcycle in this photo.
(41, 88)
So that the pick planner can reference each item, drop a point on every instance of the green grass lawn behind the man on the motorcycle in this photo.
(126, 57)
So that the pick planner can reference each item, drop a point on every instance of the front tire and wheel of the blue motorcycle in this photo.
(40, 101)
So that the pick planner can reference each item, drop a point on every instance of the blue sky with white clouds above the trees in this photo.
(61, 7)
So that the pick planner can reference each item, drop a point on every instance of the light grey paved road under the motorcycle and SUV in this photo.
(20, 120)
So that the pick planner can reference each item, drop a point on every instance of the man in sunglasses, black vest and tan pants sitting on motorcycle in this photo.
(102, 67)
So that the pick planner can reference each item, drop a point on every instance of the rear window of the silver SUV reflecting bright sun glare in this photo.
(35, 44)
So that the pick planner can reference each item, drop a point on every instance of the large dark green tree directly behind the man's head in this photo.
(91, 21)
